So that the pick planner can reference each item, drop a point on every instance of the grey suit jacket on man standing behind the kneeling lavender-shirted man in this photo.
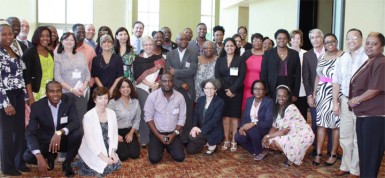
(184, 70)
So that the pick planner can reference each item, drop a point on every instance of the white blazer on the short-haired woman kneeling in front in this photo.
(92, 142)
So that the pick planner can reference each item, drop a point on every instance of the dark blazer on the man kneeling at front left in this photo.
(41, 126)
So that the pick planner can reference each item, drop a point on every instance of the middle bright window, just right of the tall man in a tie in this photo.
(148, 13)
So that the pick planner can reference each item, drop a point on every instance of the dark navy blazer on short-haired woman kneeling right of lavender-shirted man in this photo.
(210, 123)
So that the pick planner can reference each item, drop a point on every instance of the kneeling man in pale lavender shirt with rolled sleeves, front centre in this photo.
(165, 115)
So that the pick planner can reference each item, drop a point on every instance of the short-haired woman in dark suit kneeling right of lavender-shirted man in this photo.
(207, 120)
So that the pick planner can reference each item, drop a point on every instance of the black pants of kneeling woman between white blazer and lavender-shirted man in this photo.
(128, 150)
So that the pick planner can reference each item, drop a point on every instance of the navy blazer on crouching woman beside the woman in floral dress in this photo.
(265, 113)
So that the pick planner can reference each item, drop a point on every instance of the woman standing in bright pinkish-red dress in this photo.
(253, 58)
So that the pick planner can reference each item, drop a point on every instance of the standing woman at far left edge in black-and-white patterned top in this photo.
(12, 99)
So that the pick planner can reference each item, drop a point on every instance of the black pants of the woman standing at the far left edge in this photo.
(12, 133)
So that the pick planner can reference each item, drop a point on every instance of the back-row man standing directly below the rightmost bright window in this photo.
(196, 45)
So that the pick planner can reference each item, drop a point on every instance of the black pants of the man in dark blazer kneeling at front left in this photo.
(69, 143)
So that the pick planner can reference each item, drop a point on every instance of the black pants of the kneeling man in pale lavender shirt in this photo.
(156, 149)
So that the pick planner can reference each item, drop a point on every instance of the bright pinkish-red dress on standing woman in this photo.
(253, 71)
